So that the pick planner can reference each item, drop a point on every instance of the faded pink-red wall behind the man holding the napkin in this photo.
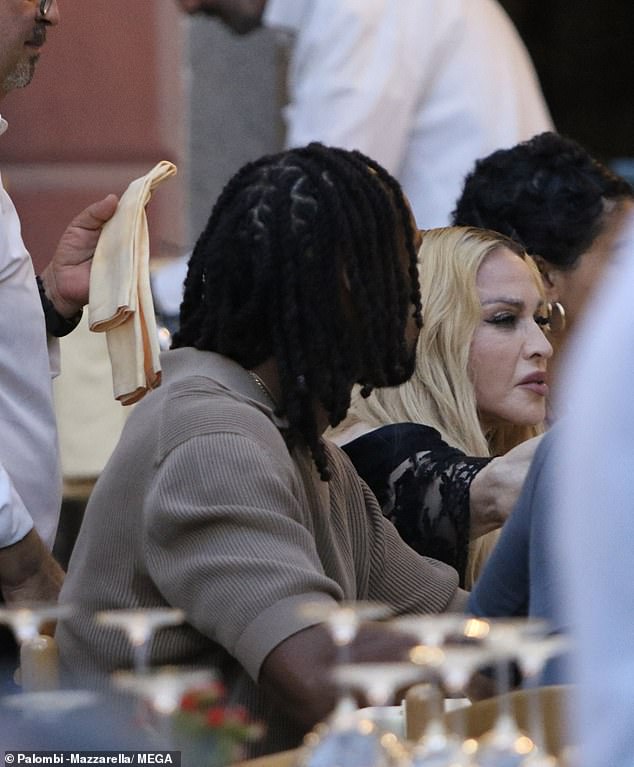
(105, 105)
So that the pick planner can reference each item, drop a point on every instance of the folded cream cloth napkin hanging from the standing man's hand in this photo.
(120, 295)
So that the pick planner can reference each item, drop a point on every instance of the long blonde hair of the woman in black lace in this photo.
(441, 393)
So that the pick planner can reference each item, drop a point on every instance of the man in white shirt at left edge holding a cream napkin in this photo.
(30, 483)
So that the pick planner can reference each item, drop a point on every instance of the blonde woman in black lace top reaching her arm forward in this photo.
(446, 452)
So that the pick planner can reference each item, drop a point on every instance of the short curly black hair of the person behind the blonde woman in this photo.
(547, 193)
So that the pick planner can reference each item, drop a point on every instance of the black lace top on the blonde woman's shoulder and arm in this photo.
(422, 485)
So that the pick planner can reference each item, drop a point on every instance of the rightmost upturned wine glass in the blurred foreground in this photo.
(534, 653)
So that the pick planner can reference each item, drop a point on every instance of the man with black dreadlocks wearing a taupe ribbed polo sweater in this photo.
(221, 497)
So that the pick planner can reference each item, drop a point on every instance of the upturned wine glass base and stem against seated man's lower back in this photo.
(140, 624)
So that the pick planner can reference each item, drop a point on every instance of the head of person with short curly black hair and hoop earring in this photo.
(562, 205)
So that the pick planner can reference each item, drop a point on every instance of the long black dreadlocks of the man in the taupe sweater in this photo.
(268, 277)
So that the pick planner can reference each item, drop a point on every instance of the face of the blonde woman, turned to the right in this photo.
(509, 351)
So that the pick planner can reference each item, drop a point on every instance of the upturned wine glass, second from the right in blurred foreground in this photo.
(505, 745)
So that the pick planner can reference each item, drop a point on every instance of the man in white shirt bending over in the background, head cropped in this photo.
(425, 87)
